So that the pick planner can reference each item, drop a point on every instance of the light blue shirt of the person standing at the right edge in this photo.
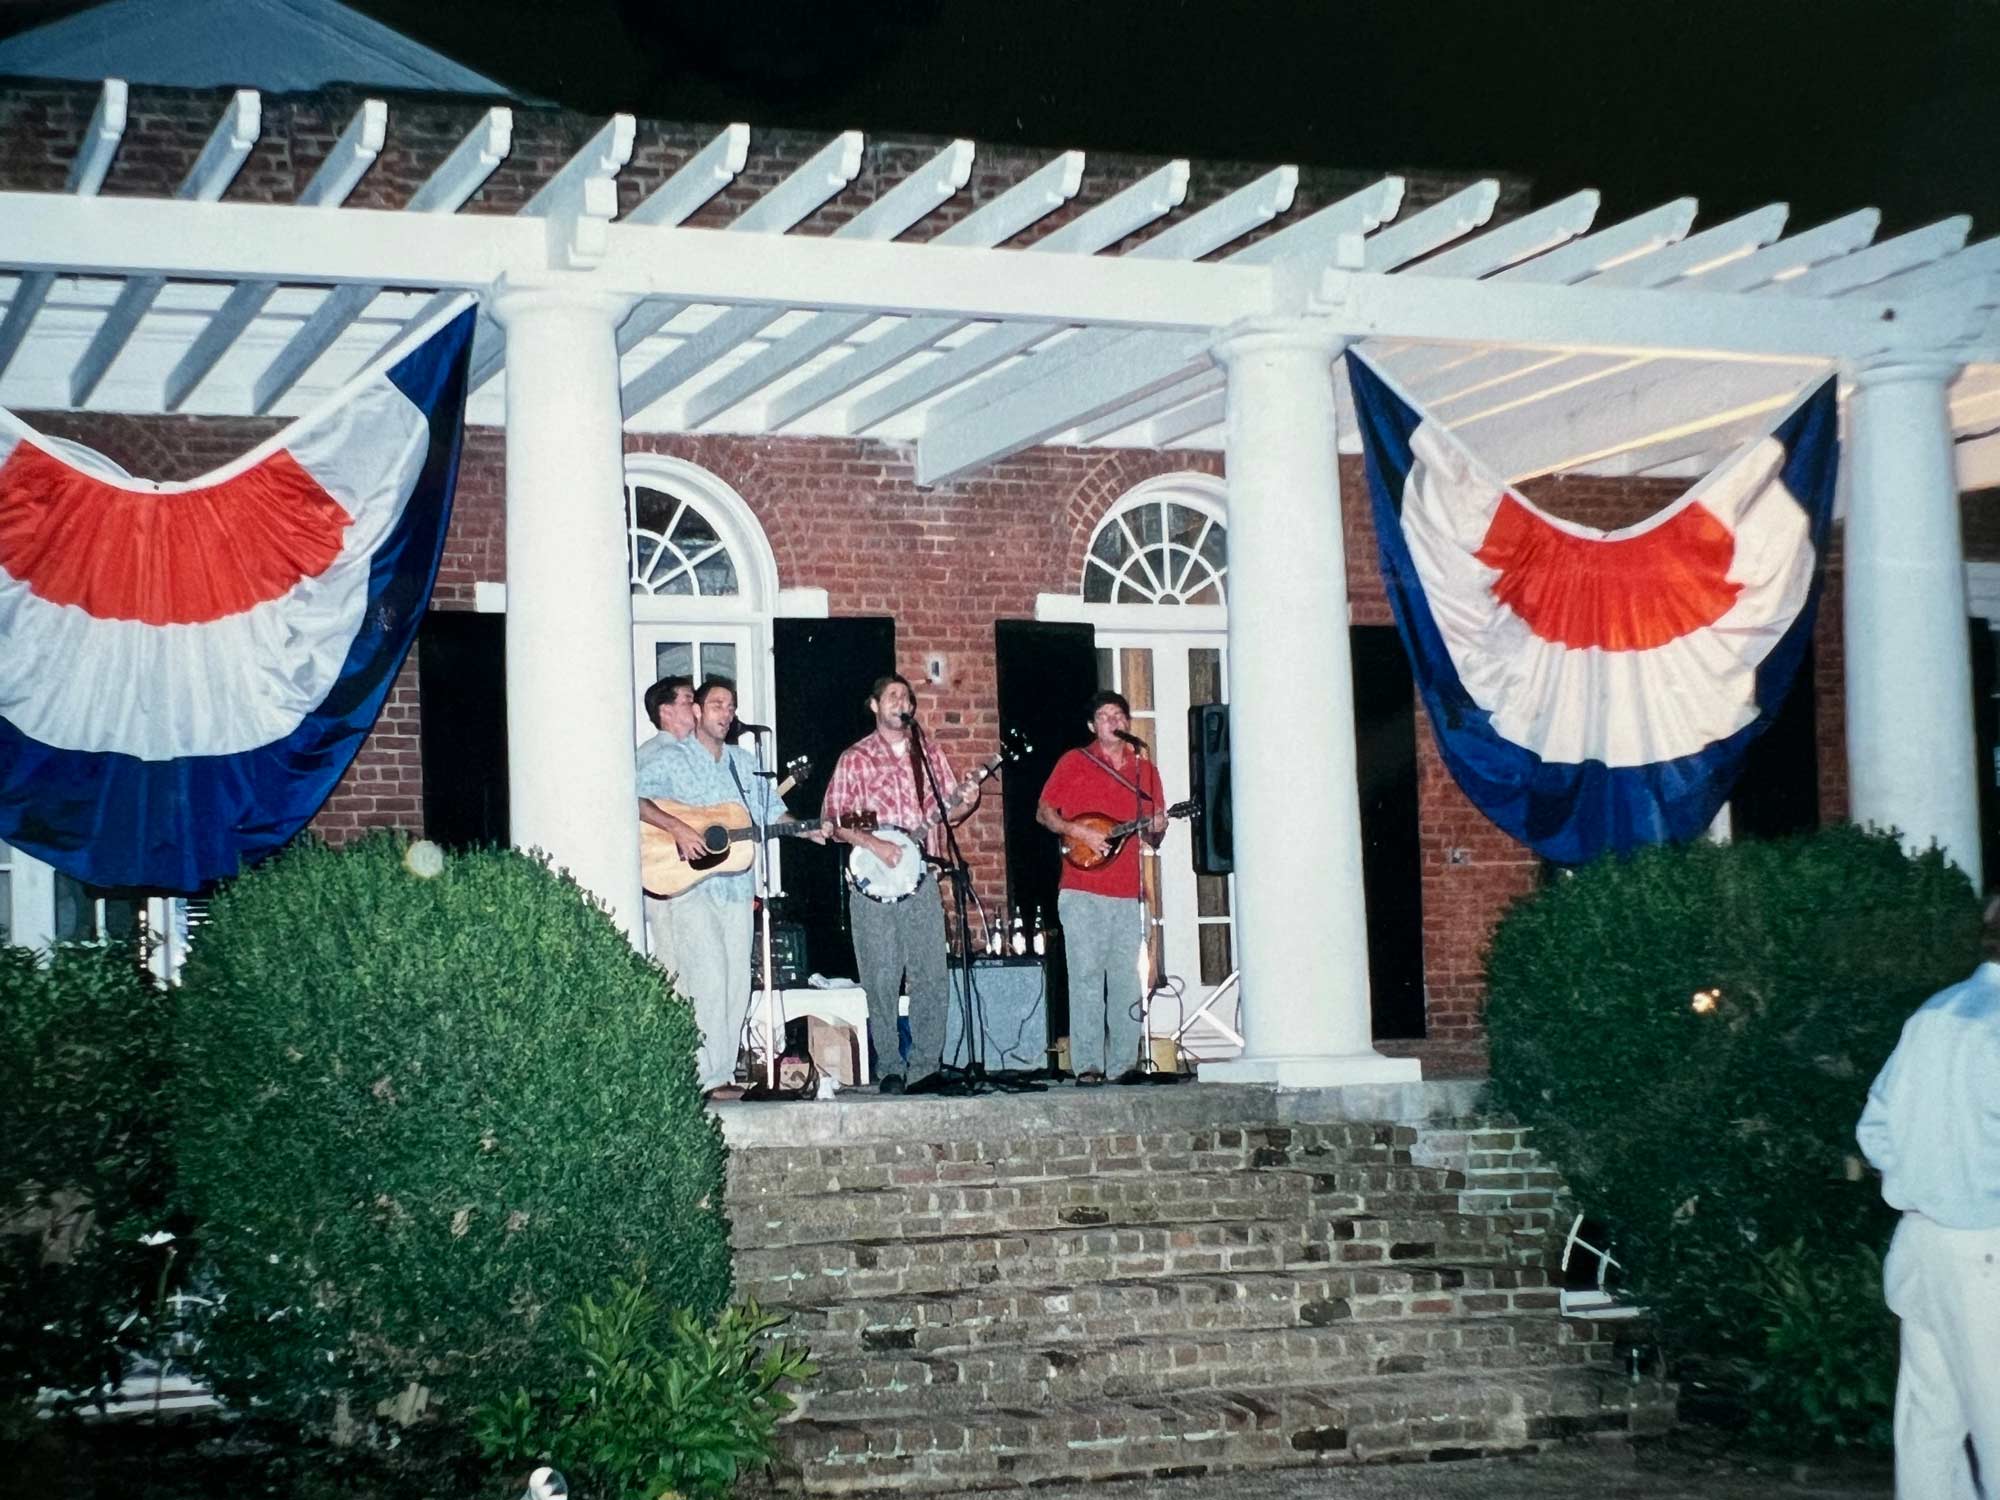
(1933, 1119)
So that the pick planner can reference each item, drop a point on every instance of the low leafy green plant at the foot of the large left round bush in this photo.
(647, 1415)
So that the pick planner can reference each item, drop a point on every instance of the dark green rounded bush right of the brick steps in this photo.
(1693, 1031)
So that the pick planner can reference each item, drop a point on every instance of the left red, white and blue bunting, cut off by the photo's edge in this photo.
(189, 669)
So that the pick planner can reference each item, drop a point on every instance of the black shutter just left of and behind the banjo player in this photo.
(821, 675)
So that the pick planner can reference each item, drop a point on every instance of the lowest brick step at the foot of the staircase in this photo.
(1215, 1431)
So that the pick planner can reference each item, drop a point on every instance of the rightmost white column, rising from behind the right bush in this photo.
(1913, 747)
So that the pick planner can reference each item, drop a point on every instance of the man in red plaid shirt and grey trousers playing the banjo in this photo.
(883, 773)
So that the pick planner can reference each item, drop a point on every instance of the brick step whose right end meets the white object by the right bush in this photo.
(957, 1323)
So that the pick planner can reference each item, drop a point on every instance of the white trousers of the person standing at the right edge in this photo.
(1945, 1285)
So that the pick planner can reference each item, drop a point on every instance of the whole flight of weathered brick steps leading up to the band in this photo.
(1009, 1301)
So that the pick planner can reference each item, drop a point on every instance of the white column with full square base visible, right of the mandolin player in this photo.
(1301, 923)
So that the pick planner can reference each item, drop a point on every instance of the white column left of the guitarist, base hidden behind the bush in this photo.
(569, 597)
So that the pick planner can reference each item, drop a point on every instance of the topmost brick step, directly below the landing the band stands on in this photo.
(785, 1171)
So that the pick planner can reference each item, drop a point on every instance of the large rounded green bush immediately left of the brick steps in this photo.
(419, 1117)
